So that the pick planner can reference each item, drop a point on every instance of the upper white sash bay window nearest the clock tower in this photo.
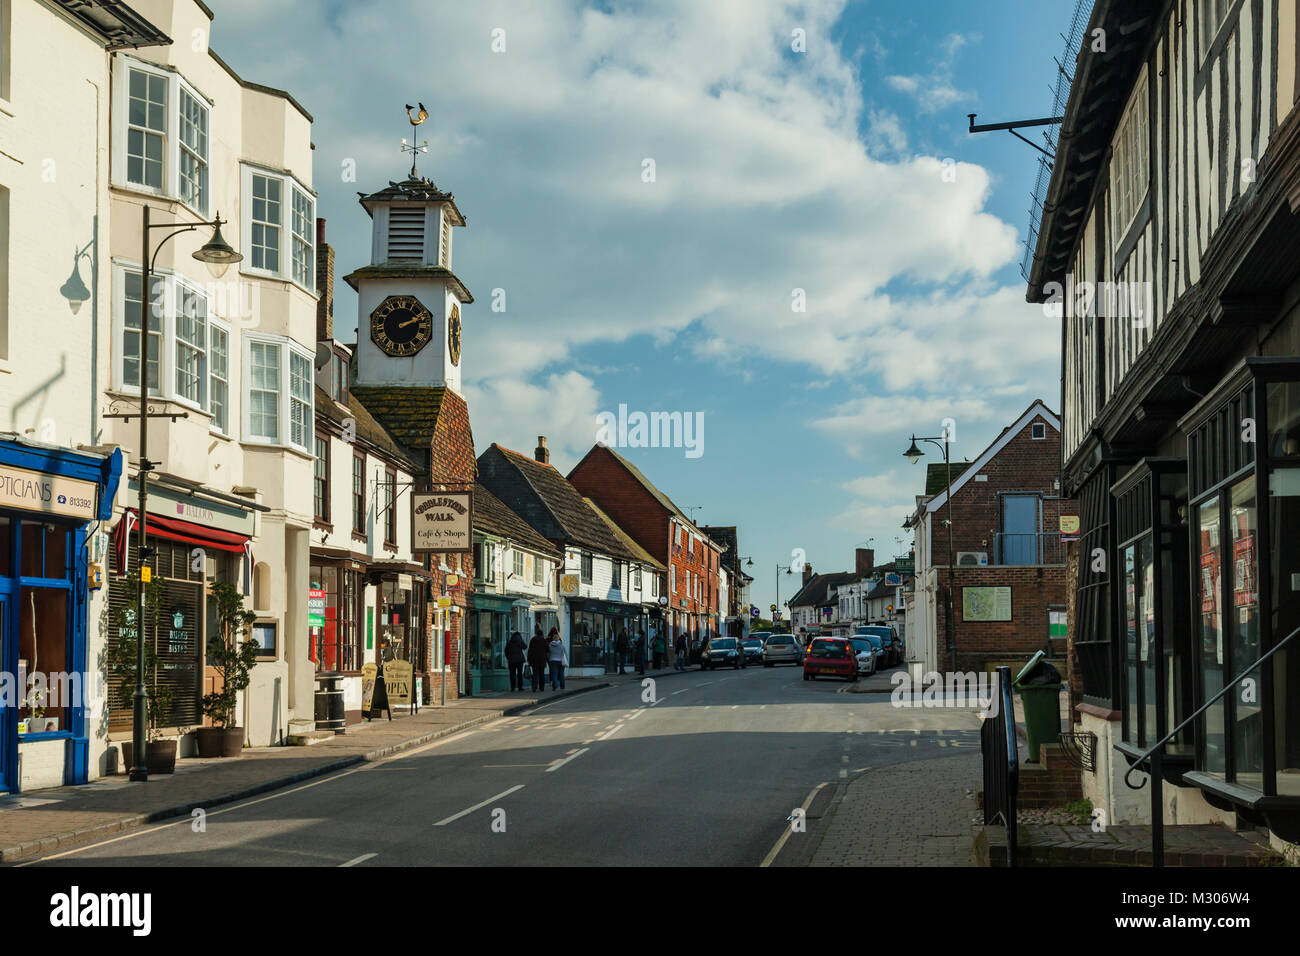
(280, 228)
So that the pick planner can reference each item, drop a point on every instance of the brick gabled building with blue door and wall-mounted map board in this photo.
(1007, 577)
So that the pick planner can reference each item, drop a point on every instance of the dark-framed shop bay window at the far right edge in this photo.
(1243, 443)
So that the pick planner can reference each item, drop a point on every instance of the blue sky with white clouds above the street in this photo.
(766, 217)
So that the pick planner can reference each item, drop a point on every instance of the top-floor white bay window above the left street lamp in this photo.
(162, 141)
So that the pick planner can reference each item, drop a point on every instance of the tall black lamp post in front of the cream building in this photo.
(218, 256)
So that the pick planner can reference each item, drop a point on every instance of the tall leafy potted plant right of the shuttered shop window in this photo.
(233, 655)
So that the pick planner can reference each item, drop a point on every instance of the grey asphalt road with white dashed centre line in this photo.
(707, 773)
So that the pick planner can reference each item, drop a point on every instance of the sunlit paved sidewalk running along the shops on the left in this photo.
(42, 821)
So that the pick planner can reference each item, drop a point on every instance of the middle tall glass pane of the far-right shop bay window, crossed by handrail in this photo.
(1249, 730)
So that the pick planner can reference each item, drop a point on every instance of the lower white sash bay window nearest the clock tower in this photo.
(278, 392)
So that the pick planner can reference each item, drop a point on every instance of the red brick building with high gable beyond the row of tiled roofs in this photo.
(651, 520)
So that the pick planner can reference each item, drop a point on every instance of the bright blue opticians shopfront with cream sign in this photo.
(51, 501)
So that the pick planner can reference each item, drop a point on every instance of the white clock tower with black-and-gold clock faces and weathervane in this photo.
(410, 302)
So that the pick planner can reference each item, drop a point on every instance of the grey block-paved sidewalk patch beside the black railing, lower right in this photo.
(907, 815)
